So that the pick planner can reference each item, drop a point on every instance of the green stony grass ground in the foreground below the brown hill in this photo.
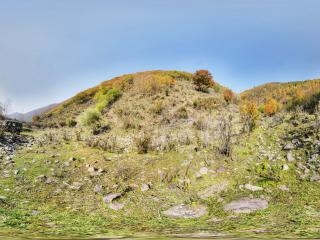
(60, 185)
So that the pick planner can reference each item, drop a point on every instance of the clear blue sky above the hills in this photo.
(52, 49)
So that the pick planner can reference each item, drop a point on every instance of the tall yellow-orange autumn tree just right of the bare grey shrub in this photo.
(250, 114)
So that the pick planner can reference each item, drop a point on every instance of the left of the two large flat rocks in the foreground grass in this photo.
(185, 211)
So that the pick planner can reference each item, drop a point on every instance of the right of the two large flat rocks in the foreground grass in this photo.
(246, 205)
